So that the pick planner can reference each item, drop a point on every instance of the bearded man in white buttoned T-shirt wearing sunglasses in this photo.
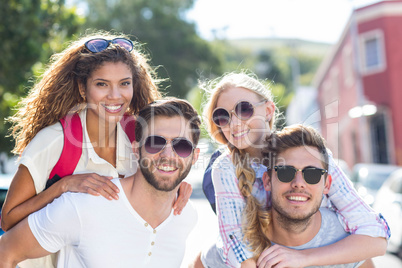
(137, 230)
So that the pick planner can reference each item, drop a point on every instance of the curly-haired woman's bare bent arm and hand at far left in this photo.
(22, 199)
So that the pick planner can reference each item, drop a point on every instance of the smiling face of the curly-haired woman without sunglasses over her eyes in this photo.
(109, 91)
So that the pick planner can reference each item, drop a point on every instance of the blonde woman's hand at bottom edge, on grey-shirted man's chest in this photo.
(279, 256)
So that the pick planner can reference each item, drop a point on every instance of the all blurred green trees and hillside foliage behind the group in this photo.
(32, 30)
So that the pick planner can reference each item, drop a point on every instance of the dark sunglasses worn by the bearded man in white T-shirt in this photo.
(155, 144)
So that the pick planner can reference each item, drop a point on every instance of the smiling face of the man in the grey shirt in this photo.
(296, 200)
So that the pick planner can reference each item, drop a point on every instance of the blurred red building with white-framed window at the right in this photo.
(360, 87)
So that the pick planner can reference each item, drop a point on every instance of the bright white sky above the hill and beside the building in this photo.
(315, 20)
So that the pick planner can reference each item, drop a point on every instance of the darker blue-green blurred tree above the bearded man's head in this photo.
(172, 42)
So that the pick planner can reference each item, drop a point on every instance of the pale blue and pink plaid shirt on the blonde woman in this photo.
(355, 215)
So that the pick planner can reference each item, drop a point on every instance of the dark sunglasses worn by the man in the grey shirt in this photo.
(311, 175)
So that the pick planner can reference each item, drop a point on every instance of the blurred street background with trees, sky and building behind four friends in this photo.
(333, 64)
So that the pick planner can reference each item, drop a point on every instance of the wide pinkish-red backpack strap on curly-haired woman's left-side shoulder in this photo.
(72, 148)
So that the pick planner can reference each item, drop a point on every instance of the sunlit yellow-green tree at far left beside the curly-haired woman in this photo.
(30, 30)
